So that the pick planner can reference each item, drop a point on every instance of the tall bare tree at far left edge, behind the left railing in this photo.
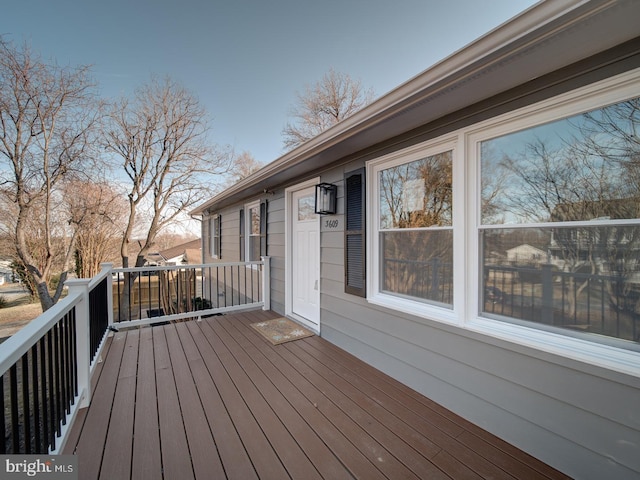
(47, 117)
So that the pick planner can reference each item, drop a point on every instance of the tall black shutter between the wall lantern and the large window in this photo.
(354, 234)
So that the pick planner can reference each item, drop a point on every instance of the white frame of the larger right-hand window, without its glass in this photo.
(607, 92)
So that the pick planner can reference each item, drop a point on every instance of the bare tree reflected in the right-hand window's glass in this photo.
(589, 173)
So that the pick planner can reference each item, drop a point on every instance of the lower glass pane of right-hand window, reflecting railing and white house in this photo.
(582, 279)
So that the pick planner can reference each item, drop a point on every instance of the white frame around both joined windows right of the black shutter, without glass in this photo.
(465, 143)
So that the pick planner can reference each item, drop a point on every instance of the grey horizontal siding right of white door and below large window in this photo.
(580, 419)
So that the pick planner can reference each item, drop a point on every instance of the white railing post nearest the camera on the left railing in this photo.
(80, 287)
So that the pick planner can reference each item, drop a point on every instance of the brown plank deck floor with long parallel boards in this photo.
(214, 400)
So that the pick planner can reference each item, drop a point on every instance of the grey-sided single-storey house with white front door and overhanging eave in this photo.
(395, 276)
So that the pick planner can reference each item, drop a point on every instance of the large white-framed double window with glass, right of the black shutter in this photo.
(542, 244)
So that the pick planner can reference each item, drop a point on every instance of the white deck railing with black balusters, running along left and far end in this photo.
(46, 367)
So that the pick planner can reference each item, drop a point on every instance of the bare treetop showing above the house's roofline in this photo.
(324, 104)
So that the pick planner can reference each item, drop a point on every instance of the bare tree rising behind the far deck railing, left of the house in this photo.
(160, 141)
